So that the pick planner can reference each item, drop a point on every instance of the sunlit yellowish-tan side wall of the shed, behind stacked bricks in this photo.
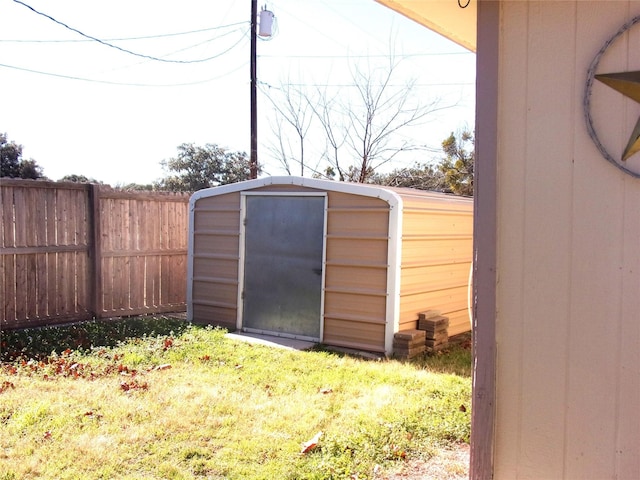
(437, 248)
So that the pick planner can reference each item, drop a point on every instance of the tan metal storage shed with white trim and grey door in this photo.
(340, 263)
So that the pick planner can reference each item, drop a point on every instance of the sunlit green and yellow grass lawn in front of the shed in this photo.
(160, 399)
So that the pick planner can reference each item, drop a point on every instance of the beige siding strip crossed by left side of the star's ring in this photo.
(596, 295)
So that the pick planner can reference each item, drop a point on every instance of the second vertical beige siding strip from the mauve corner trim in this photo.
(551, 96)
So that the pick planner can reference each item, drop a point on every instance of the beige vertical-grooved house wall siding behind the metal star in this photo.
(568, 290)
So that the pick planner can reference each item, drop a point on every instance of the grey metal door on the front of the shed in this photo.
(283, 265)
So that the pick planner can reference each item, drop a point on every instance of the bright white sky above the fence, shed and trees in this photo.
(81, 107)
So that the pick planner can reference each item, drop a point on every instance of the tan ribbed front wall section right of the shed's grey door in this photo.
(356, 271)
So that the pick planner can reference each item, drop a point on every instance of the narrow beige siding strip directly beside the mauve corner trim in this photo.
(511, 227)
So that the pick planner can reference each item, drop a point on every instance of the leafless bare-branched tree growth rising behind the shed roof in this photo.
(362, 131)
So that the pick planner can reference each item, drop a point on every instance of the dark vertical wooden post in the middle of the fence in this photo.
(95, 250)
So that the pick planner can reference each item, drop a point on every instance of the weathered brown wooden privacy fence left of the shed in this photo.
(72, 252)
